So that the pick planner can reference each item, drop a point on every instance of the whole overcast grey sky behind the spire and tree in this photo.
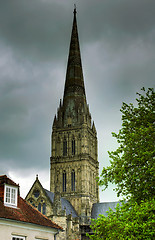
(117, 40)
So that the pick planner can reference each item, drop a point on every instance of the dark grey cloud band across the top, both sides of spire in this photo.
(34, 26)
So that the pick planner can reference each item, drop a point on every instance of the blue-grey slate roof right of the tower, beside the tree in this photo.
(102, 208)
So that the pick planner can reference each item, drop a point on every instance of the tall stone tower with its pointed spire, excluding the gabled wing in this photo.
(74, 154)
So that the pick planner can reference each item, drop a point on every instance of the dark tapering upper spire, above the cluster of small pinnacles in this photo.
(74, 84)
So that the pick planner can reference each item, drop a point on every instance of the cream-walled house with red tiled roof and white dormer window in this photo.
(19, 220)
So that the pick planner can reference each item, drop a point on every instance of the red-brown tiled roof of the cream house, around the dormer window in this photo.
(25, 213)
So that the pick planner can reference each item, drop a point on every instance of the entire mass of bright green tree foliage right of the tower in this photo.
(132, 170)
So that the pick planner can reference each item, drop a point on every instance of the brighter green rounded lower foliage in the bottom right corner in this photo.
(130, 221)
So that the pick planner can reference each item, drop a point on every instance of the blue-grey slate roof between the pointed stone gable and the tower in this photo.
(65, 204)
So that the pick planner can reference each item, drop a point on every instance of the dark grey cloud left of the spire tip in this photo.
(32, 27)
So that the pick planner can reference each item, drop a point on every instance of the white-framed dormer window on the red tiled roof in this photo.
(10, 195)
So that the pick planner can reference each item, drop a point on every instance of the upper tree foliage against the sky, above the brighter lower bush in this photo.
(132, 167)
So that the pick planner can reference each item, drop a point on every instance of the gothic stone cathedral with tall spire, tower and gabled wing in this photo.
(74, 194)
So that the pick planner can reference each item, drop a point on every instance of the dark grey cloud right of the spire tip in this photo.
(122, 18)
